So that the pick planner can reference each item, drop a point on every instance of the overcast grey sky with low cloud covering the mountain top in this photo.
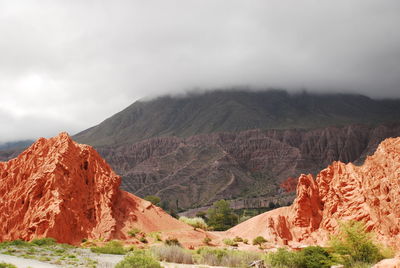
(68, 65)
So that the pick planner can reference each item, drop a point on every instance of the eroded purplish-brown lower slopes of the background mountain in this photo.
(253, 165)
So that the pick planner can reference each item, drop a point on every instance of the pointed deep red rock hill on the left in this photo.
(58, 188)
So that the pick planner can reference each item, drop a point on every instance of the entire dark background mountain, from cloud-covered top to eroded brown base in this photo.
(237, 145)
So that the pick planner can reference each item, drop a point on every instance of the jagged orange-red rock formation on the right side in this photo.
(341, 192)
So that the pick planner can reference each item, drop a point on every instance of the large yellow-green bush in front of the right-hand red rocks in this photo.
(355, 244)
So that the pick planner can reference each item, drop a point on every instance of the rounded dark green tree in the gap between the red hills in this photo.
(221, 217)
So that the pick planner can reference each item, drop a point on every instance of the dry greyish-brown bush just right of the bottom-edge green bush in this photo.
(174, 254)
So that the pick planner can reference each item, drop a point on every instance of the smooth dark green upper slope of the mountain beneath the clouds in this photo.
(231, 111)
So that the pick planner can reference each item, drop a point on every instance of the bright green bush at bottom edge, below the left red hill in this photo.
(138, 259)
